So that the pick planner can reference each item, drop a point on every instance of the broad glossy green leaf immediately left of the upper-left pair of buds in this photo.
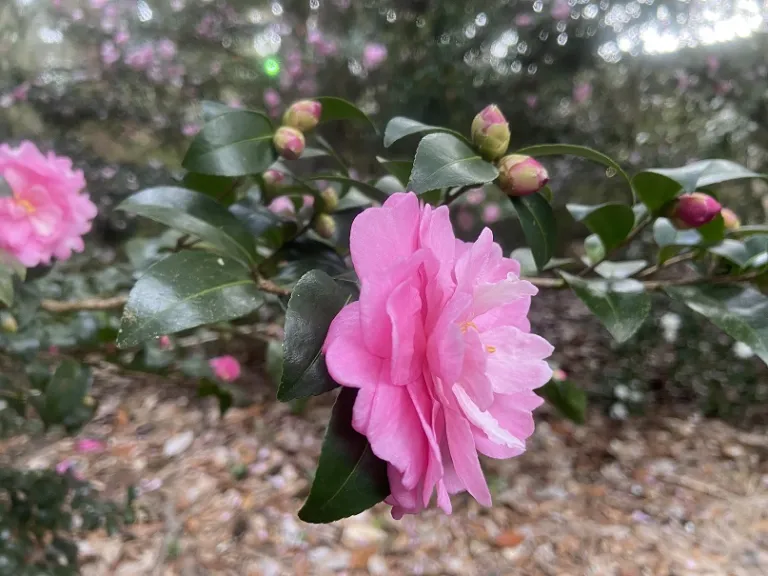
(233, 144)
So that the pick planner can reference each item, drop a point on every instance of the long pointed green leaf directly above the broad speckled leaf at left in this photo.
(196, 214)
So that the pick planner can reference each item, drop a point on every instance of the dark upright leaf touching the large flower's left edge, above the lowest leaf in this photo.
(314, 303)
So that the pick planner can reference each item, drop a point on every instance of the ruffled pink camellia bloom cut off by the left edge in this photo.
(47, 215)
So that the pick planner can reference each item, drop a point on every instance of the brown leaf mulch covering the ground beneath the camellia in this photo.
(656, 495)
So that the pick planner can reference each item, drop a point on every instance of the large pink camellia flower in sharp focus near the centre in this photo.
(439, 346)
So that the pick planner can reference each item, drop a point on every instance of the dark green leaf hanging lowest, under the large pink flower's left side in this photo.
(349, 478)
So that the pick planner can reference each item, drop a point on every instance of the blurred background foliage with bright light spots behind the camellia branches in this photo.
(117, 85)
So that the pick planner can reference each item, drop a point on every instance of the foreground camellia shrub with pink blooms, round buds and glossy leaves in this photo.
(426, 335)
